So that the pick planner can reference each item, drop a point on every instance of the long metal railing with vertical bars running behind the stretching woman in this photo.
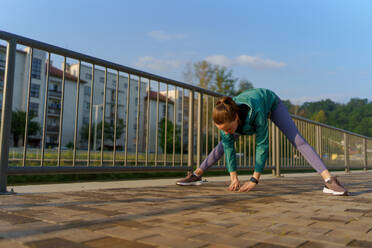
(157, 123)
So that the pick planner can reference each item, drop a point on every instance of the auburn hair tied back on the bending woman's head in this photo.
(225, 110)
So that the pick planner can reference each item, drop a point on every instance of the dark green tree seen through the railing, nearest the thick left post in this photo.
(18, 125)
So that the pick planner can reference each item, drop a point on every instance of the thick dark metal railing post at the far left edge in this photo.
(6, 114)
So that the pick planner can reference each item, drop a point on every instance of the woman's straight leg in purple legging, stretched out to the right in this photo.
(283, 120)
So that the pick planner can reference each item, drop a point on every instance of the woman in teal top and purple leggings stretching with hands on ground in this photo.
(248, 114)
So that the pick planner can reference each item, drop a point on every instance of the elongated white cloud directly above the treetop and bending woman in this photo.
(244, 59)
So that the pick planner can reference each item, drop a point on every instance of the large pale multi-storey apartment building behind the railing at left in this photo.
(38, 94)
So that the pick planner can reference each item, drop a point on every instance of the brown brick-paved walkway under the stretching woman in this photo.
(280, 212)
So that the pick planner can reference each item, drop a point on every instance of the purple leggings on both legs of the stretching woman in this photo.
(283, 120)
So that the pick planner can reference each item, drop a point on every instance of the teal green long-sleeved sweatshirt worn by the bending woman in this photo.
(261, 103)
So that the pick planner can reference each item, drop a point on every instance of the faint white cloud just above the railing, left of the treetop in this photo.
(159, 65)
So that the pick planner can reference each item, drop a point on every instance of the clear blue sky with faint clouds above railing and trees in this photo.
(302, 50)
